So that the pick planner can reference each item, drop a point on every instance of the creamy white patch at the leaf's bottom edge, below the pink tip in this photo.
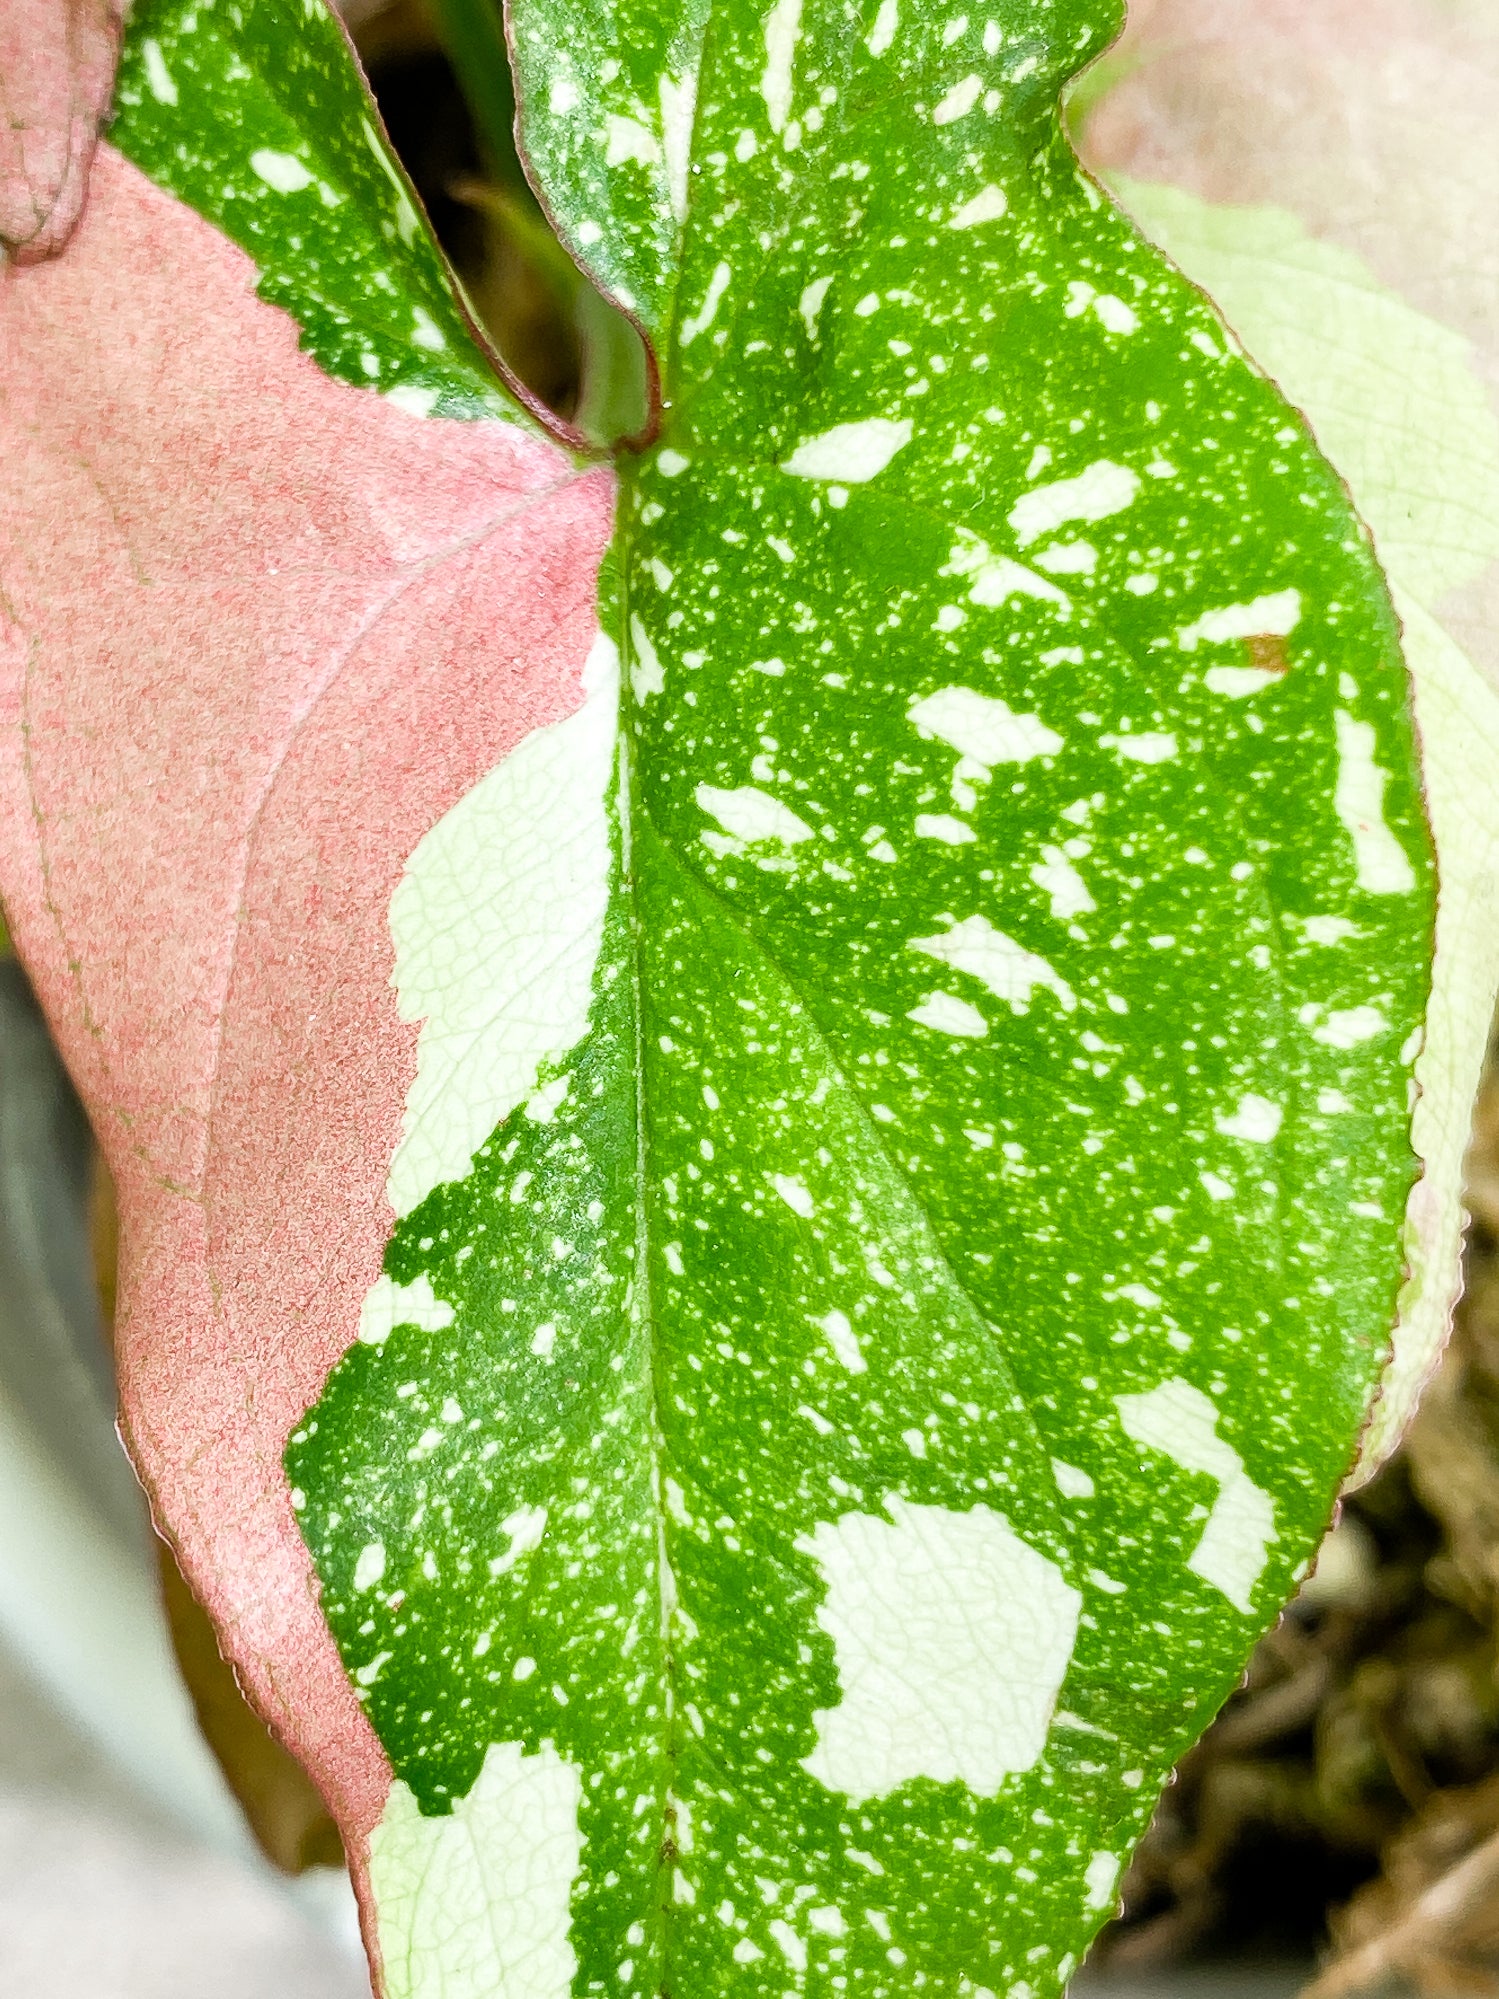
(479, 1904)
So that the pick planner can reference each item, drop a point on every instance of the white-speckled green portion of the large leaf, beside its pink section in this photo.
(896, 1232)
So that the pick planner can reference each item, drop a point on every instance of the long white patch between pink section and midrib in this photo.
(499, 925)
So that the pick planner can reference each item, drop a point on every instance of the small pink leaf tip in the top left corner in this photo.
(57, 75)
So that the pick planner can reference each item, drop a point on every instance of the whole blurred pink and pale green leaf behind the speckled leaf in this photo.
(1330, 177)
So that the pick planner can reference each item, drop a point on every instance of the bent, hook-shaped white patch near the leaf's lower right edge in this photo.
(1182, 1424)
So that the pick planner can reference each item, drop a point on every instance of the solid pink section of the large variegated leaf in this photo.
(259, 631)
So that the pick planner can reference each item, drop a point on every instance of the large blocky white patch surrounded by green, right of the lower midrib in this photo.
(952, 1640)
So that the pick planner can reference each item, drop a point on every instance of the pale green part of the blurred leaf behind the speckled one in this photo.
(1428, 483)
